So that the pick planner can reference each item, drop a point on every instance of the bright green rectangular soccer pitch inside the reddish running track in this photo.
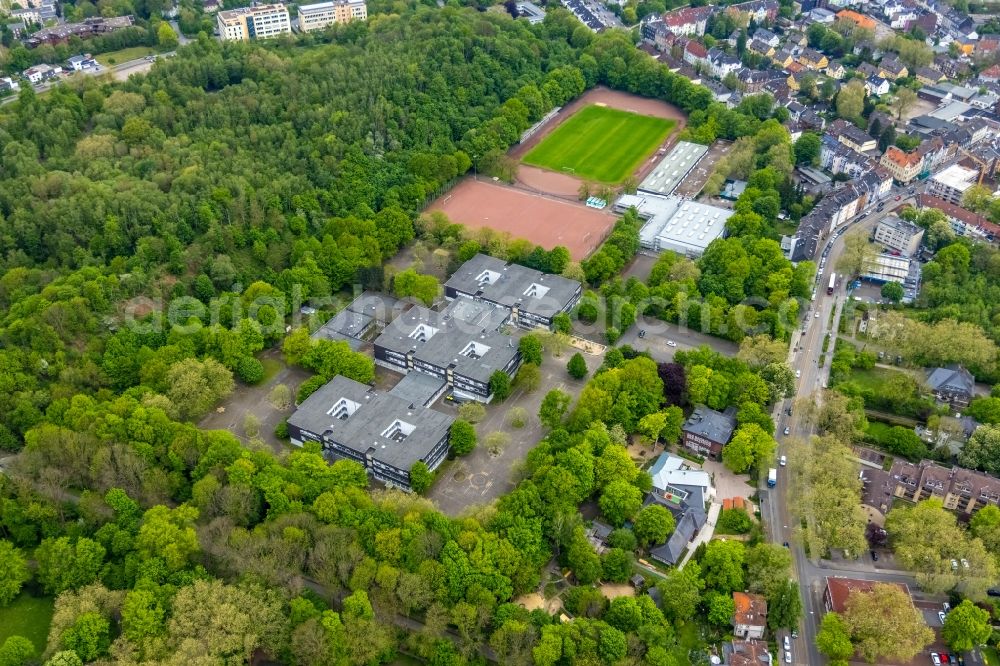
(600, 143)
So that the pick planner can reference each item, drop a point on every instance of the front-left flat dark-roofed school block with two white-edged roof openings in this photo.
(383, 432)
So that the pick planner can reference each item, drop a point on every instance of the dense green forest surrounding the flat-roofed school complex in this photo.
(286, 172)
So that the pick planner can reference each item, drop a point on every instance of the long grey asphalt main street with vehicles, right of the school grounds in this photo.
(804, 356)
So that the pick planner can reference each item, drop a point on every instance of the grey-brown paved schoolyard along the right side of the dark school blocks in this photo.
(479, 478)
